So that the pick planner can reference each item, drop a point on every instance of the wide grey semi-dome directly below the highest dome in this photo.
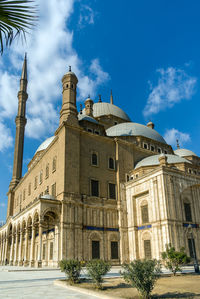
(134, 129)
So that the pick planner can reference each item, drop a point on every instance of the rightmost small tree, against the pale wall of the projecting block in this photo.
(173, 260)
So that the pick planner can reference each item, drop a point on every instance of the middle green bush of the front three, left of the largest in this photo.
(96, 270)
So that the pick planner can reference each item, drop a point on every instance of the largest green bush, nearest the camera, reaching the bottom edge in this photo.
(142, 275)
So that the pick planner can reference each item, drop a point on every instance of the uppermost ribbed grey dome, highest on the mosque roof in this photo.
(102, 108)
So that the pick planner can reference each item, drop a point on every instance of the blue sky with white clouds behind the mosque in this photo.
(146, 51)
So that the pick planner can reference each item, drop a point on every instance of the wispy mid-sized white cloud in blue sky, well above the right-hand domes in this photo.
(173, 86)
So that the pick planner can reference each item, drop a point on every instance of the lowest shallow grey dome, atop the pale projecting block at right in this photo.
(154, 160)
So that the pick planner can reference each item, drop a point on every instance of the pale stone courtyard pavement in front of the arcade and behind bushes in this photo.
(25, 283)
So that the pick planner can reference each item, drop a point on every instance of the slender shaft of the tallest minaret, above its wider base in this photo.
(20, 121)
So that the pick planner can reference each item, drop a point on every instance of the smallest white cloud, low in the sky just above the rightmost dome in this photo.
(172, 135)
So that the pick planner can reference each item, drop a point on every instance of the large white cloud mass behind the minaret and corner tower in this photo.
(50, 52)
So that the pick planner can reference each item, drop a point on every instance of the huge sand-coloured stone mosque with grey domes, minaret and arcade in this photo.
(101, 187)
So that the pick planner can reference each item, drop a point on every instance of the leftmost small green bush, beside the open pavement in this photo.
(72, 269)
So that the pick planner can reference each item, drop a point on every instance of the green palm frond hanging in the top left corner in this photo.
(16, 17)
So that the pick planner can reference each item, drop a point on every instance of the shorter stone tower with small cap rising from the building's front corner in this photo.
(68, 111)
